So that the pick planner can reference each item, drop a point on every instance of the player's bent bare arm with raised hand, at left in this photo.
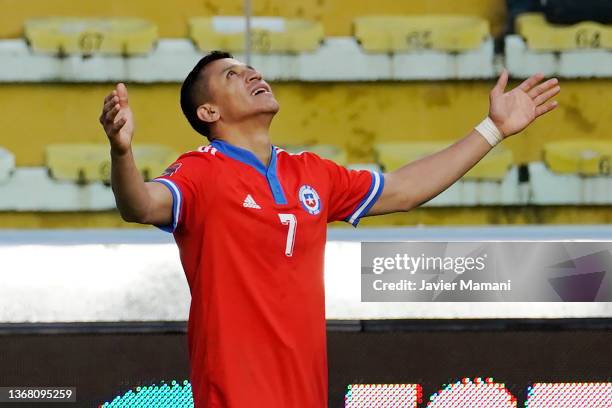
(137, 201)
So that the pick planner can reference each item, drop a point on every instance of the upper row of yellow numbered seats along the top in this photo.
(379, 34)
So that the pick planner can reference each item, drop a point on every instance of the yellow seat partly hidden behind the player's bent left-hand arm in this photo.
(83, 163)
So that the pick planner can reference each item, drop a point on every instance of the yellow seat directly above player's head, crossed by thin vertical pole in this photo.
(269, 34)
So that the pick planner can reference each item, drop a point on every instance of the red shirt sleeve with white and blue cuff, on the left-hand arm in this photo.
(181, 179)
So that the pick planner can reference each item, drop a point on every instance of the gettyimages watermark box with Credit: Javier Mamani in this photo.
(486, 272)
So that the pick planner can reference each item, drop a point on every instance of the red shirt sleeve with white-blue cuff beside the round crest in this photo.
(352, 192)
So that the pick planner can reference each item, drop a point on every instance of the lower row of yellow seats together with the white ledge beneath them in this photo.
(573, 172)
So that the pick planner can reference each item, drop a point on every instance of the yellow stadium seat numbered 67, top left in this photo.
(86, 36)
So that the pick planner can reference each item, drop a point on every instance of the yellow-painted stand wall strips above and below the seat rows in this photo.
(351, 115)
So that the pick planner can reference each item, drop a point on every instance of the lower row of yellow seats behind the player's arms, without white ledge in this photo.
(84, 163)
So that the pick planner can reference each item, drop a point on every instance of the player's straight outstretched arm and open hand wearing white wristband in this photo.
(510, 112)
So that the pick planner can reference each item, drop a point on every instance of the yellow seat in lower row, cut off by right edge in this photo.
(583, 157)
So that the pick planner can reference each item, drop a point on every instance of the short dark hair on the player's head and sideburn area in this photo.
(190, 92)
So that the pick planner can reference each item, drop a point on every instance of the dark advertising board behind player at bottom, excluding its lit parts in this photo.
(107, 360)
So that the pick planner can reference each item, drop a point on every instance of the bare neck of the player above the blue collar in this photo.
(252, 135)
